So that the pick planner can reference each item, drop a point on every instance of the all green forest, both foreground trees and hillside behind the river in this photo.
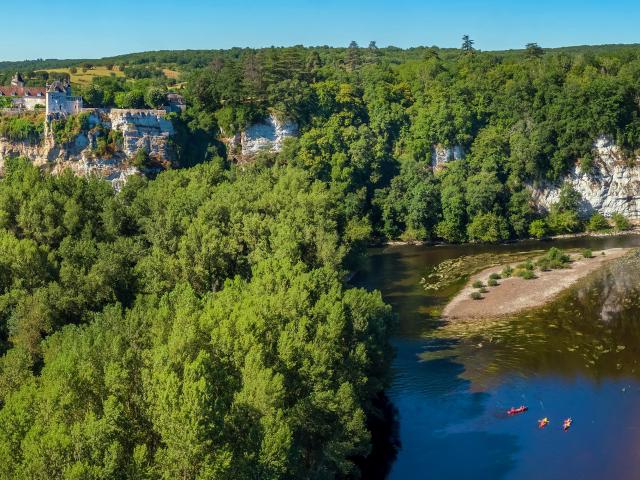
(198, 325)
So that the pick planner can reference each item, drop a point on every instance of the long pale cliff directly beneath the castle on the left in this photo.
(141, 129)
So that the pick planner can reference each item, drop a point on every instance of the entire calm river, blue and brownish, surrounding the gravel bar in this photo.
(578, 358)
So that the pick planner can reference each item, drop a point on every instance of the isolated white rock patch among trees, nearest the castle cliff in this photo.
(268, 135)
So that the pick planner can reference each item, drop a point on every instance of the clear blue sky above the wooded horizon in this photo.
(94, 28)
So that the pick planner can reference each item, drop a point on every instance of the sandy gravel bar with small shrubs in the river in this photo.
(515, 294)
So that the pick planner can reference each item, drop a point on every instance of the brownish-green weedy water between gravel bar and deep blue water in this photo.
(590, 328)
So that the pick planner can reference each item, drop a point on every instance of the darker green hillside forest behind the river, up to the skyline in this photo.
(370, 117)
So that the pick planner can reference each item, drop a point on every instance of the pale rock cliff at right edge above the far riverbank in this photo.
(612, 187)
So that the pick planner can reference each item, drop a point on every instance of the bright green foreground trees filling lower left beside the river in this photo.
(195, 326)
